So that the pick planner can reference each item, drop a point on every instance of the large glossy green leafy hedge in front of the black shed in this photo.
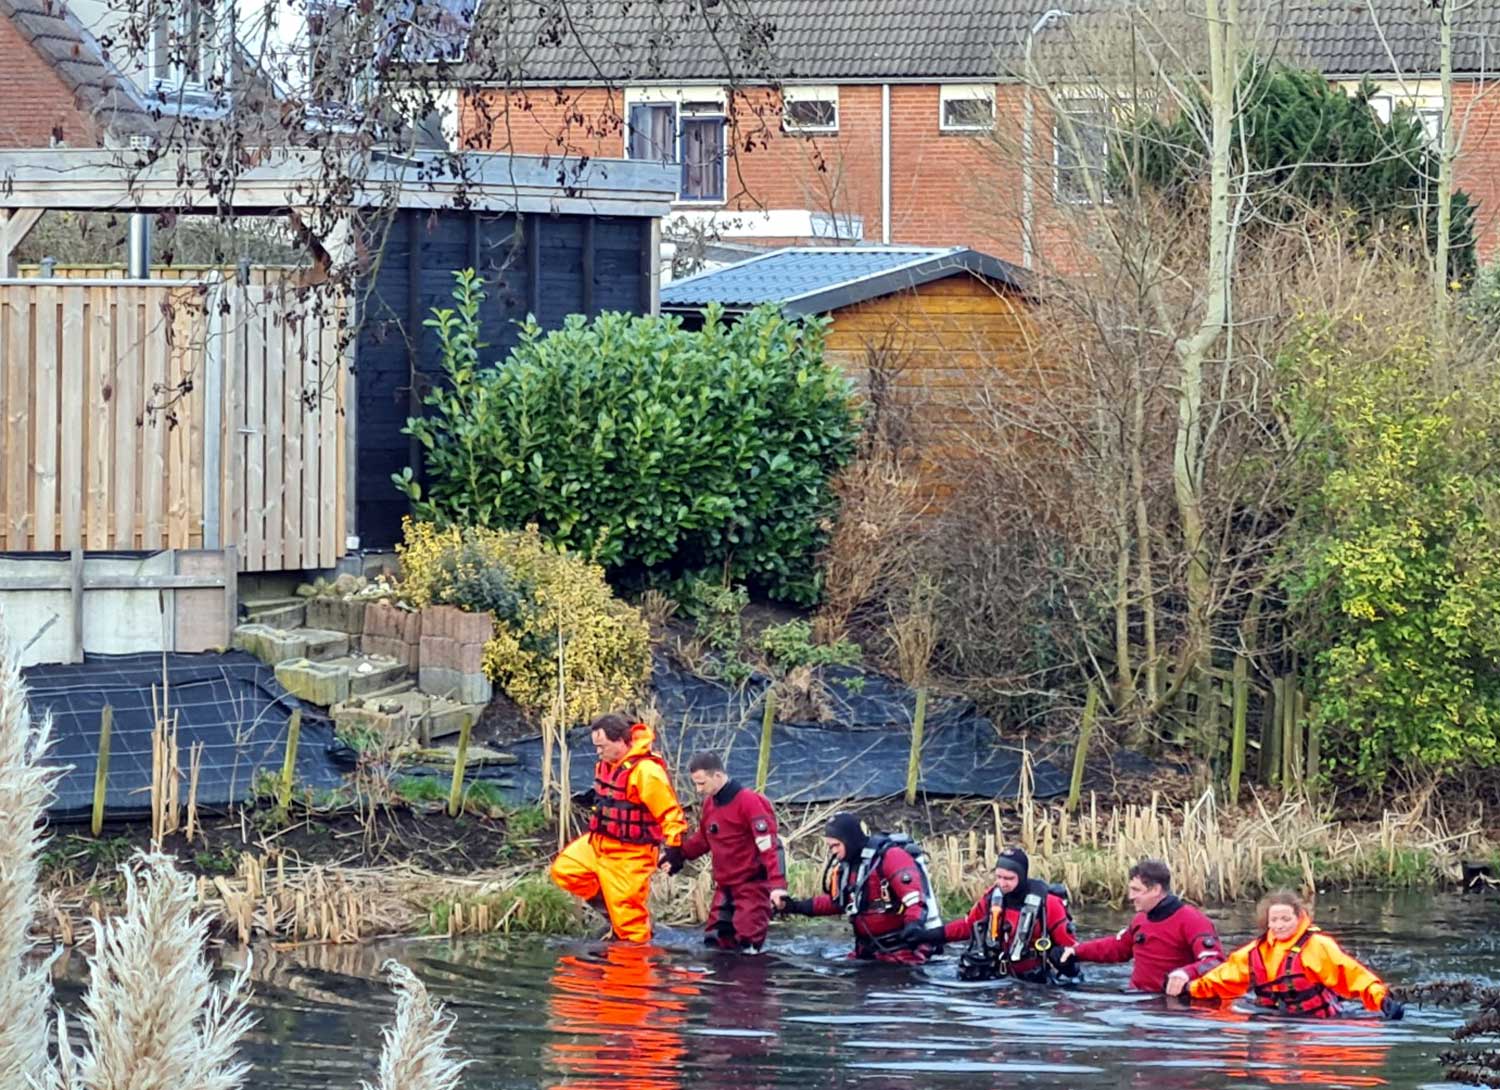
(658, 449)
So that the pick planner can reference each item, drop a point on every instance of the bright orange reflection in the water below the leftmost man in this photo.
(617, 1017)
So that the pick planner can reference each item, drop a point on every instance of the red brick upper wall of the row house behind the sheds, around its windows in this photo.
(947, 190)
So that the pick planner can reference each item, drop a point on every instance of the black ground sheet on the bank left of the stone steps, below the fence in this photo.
(230, 702)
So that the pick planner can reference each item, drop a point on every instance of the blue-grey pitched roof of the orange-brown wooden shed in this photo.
(817, 280)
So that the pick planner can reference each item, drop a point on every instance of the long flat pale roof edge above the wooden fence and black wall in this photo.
(104, 181)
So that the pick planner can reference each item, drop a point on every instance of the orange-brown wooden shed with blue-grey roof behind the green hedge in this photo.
(916, 325)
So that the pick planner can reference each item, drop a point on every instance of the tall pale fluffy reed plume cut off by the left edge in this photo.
(26, 788)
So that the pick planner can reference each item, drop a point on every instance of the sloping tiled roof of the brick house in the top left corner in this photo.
(100, 89)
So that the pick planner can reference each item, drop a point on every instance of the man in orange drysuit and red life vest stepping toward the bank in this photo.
(635, 815)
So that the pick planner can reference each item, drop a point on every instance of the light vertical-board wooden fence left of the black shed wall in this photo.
(196, 415)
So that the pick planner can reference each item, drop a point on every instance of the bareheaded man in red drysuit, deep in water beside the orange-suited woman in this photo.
(1168, 933)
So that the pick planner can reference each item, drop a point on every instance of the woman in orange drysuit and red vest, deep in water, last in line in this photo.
(1294, 968)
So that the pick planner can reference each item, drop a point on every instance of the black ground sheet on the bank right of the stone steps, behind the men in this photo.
(862, 755)
